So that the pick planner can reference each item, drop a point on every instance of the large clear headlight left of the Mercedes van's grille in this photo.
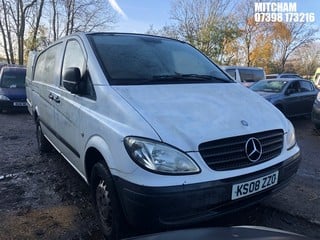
(159, 157)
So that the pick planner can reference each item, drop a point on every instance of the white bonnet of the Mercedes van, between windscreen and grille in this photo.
(192, 114)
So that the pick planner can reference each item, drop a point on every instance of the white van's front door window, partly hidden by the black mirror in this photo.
(74, 57)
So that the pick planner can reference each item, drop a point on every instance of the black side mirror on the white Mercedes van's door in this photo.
(71, 79)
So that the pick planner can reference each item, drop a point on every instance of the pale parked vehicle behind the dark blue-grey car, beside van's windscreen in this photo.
(245, 75)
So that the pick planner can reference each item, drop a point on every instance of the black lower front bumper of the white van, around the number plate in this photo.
(151, 207)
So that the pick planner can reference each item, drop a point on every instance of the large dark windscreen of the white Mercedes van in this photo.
(141, 59)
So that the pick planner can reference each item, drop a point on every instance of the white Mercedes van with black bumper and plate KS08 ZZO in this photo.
(161, 134)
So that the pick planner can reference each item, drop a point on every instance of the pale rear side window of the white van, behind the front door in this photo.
(46, 65)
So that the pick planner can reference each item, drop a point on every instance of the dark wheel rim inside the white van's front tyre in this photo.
(104, 206)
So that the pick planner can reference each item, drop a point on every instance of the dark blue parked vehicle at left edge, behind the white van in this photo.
(12, 88)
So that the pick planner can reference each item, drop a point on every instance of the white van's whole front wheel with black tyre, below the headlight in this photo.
(106, 203)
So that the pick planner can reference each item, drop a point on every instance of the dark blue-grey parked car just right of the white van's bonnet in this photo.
(292, 96)
